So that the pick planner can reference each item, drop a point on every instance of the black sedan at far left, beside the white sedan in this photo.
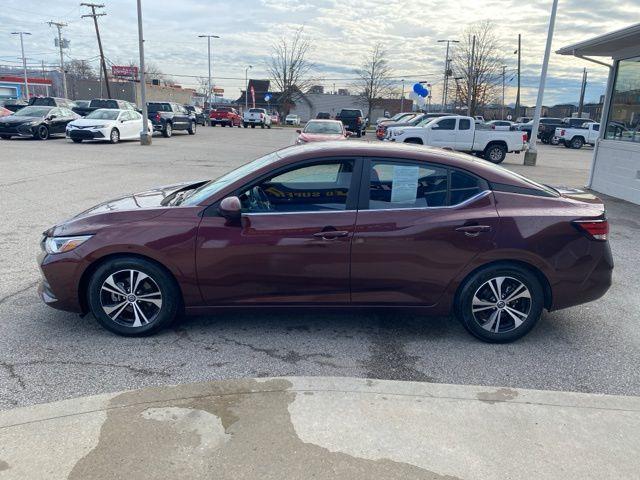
(36, 122)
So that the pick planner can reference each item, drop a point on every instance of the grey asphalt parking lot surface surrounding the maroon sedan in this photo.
(48, 355)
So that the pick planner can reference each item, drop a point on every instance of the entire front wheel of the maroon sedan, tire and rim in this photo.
(132, 296)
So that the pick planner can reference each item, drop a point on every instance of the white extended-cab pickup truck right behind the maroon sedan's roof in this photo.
(462, 134)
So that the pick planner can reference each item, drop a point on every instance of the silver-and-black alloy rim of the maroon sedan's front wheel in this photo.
(131, 298)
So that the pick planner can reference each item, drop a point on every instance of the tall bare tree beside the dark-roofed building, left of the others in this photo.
(289, 68)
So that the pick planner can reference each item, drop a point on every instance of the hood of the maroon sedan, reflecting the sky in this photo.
(130, 208)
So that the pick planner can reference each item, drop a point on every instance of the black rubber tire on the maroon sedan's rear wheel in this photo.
(476, 286)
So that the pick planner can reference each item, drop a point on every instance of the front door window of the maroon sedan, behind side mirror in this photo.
(311, 188)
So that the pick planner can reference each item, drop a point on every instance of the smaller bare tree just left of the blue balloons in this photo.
(374, 79)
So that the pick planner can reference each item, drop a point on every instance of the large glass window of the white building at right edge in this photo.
(623, 122)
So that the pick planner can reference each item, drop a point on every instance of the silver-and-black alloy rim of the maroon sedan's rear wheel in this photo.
(501, 304)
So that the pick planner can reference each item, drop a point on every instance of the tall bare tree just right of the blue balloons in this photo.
(485, 75)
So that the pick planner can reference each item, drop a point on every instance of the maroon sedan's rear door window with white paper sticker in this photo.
(407, 185)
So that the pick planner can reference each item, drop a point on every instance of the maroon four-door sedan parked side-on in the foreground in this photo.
(336, 225)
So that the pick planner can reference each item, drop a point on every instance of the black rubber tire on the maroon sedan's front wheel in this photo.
(158, 317)
